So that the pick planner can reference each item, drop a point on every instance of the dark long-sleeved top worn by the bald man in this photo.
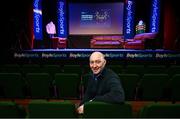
(107, 88)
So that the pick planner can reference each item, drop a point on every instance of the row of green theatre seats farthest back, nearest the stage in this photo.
(83, 69)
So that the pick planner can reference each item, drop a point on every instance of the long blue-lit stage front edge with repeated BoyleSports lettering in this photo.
(117, 54)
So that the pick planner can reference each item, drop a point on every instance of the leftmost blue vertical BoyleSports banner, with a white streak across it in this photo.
(37, 12)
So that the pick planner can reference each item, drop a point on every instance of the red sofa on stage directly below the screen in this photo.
(107, 42)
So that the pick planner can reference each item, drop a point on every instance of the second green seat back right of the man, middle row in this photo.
(153, 86)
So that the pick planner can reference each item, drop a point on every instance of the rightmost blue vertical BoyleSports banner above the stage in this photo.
(155, 14)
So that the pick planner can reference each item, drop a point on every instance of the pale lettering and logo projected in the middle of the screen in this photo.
(100, 18)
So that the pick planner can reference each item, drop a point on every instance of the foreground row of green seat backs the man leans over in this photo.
(67, 109)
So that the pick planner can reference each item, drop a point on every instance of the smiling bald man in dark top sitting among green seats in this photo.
(104, 85)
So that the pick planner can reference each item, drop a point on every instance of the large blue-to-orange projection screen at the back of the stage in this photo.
(96, 18)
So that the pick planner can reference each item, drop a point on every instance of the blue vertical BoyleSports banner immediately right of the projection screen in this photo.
(129, 20)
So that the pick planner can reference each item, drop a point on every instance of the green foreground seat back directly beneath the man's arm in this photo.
(107, 110)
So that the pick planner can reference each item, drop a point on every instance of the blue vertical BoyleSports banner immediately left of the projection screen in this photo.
(62, 21)
